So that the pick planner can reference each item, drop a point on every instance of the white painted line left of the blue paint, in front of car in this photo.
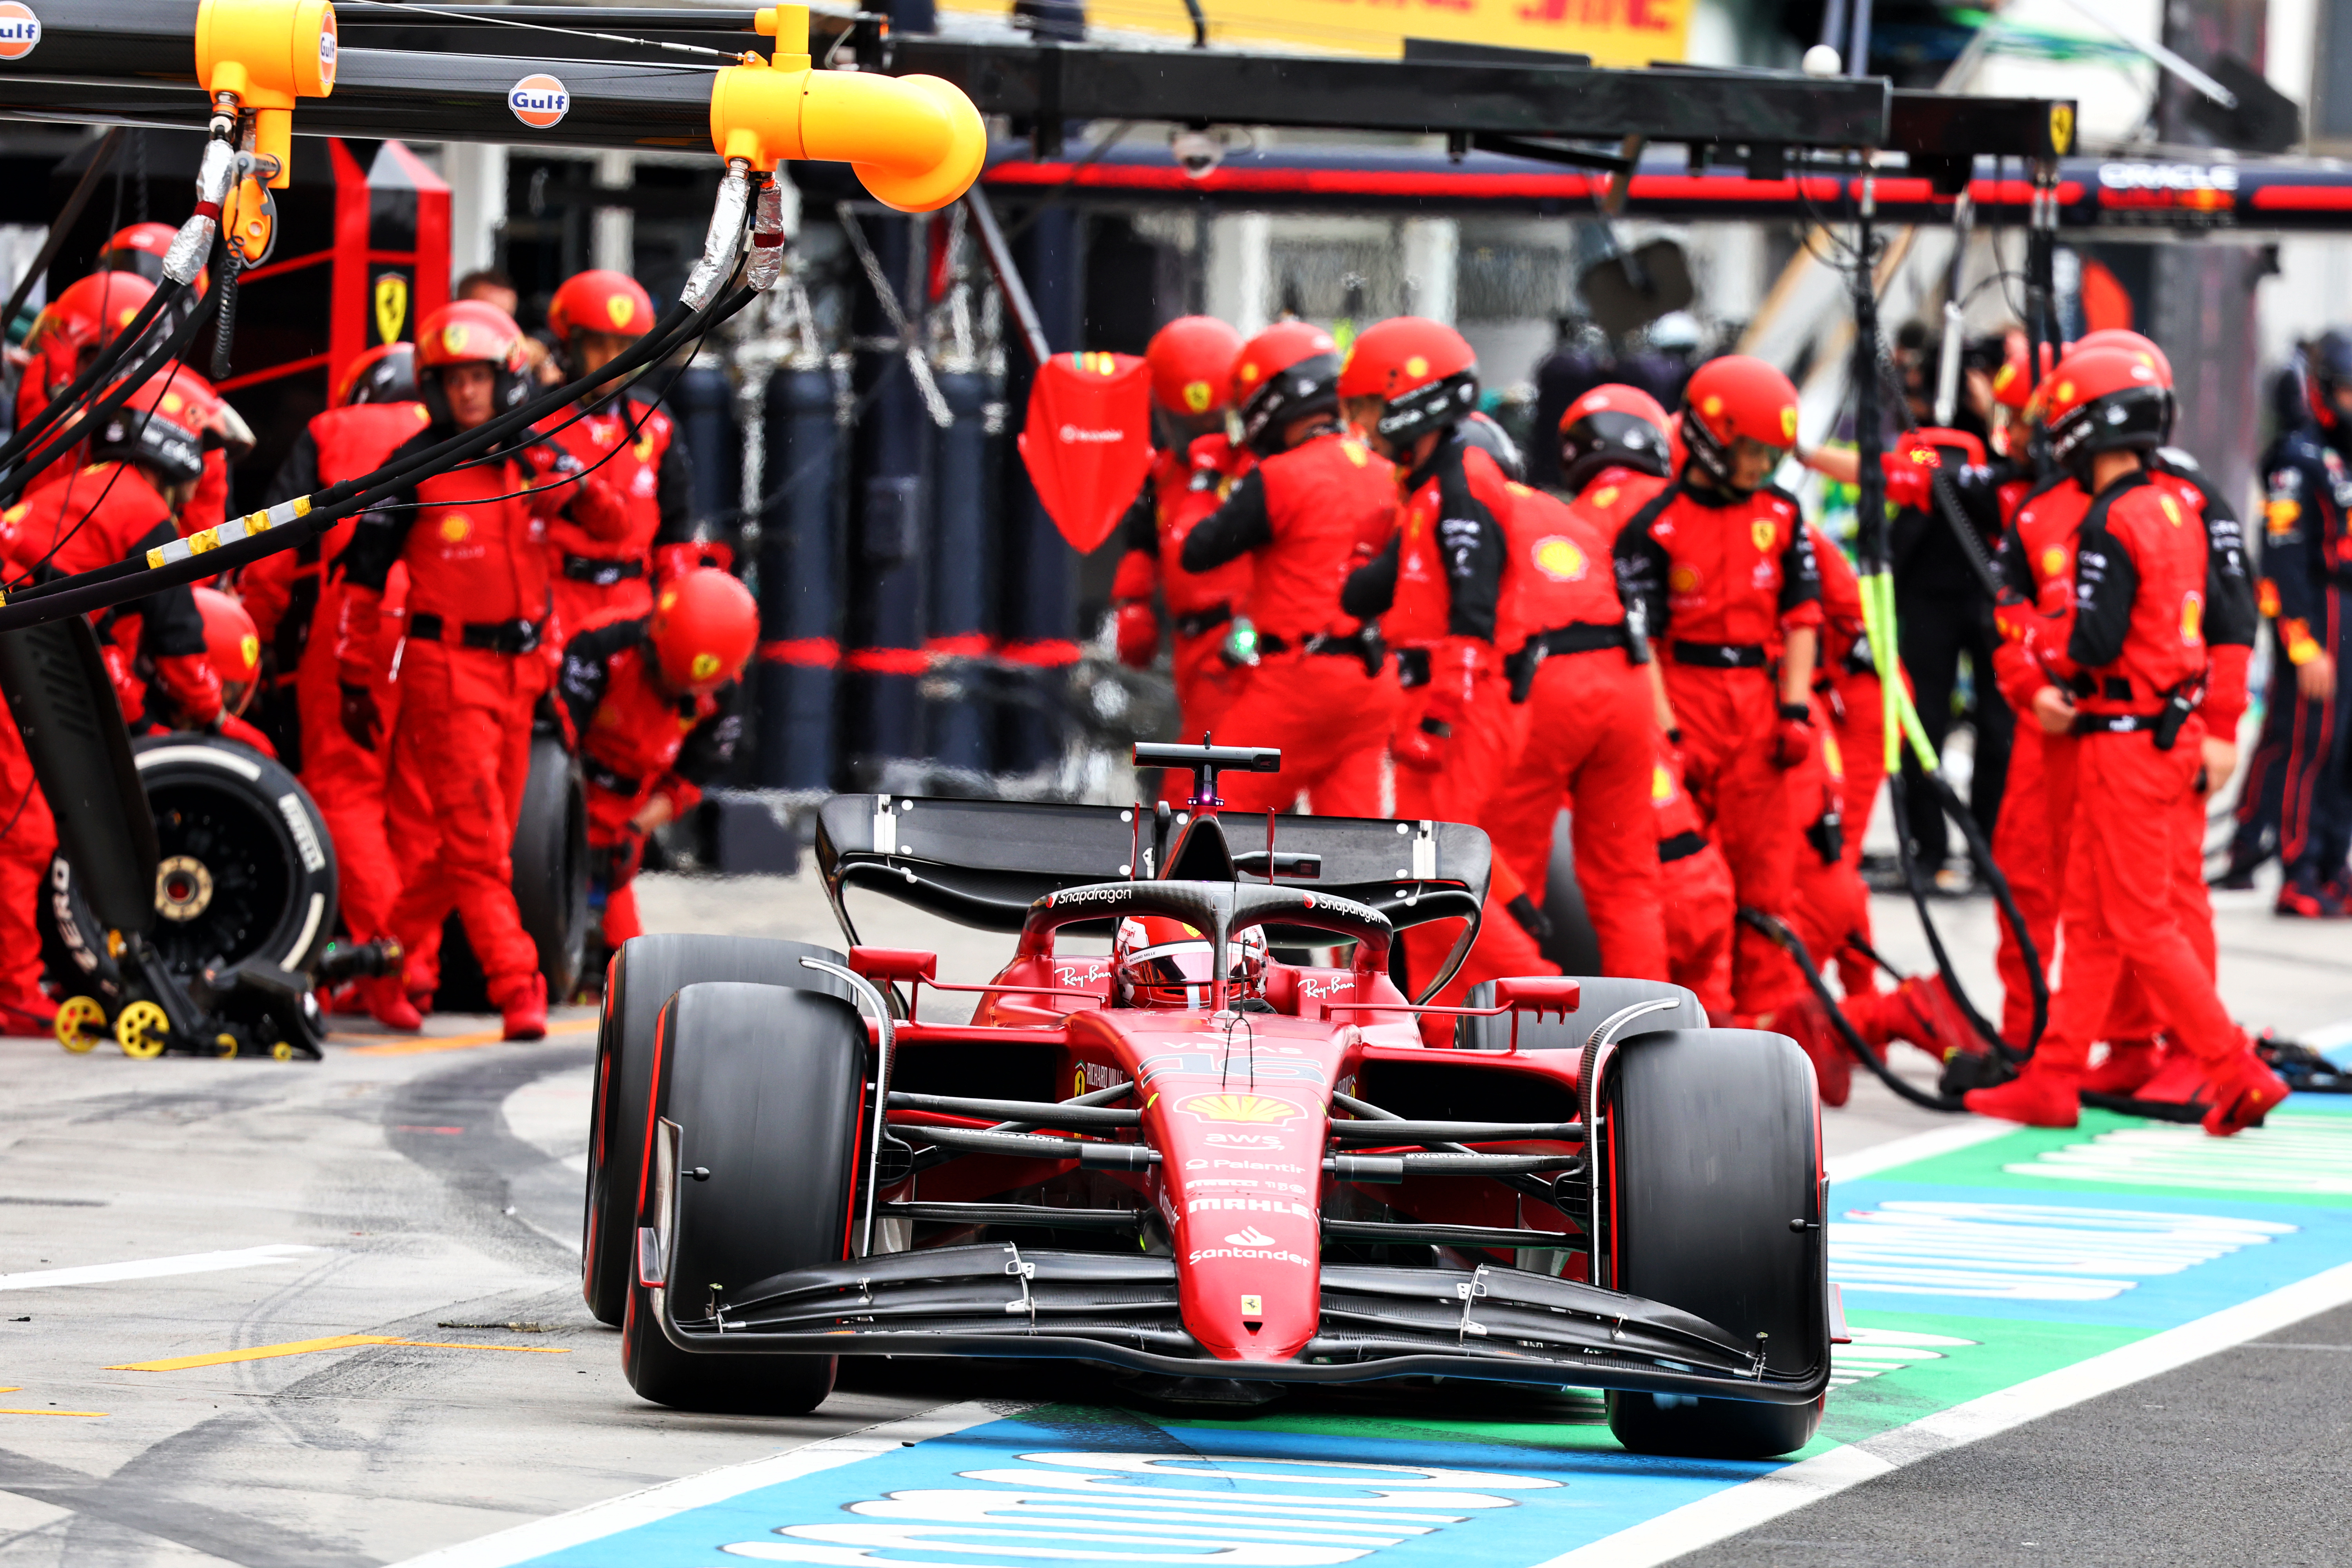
(671, 1499)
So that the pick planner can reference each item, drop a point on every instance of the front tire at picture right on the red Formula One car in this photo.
(1713, 1146)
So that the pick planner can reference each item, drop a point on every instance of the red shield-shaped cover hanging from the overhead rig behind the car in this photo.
(1088, 443)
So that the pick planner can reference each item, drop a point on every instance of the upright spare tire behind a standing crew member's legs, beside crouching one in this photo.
(549, 880)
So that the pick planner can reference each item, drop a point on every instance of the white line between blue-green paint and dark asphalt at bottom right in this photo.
(1744, 1508)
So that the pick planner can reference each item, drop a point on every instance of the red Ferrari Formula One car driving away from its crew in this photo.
(1271, 1181)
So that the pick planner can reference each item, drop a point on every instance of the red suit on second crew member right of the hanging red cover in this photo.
(1321, 688)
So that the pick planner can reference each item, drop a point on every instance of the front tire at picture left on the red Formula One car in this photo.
(766, 1090)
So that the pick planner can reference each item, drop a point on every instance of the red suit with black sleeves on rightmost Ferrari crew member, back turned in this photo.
(2149, 591)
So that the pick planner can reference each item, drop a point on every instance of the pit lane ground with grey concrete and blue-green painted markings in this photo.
(399, 1228)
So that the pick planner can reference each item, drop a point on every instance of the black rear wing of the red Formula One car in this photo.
(984, 864)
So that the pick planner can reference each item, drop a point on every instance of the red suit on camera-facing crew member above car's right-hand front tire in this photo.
(1720, 579)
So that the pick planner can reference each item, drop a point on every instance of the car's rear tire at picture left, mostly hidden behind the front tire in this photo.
(639, 984)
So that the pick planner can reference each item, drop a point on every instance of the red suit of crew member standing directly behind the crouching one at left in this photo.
(639, 455)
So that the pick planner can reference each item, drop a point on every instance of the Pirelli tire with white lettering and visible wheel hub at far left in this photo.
(246, 869)
